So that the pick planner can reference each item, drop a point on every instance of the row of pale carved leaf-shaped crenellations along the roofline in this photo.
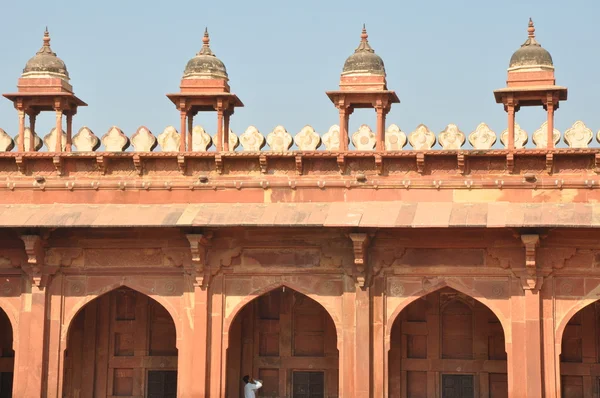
(307, 139)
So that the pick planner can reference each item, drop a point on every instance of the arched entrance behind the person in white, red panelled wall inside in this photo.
(288, 341)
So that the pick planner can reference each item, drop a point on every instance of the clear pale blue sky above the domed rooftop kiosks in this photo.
(443, 58)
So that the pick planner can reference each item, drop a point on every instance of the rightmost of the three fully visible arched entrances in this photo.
(447, 344)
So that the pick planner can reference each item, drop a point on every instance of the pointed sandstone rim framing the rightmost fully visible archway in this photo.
(448, 282)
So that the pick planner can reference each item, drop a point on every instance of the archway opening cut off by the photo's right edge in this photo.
(580, 354)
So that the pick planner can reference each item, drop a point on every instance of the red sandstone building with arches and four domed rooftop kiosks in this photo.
(363, 270)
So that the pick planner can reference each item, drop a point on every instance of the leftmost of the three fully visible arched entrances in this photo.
(122, 343)
